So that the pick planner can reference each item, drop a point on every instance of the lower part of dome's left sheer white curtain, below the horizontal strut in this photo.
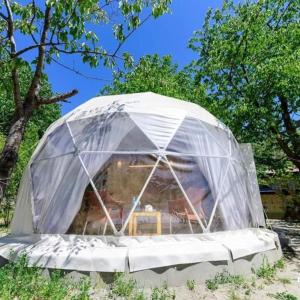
(57, 184)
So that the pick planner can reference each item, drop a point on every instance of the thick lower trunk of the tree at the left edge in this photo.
(9, 155)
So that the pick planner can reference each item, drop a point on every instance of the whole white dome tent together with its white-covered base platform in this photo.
(137, 182)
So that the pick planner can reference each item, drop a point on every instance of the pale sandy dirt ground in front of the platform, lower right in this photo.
(284, 284)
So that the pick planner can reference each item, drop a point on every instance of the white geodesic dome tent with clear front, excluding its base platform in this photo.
(138, 164)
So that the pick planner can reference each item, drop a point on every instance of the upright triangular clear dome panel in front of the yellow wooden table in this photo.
(163, 208)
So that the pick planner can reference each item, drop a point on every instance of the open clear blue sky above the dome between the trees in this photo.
(167, 35)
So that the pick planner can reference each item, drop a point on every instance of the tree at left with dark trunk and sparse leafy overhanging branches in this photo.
(52, 28)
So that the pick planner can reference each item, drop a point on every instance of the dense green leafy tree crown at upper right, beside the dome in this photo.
(249, 63)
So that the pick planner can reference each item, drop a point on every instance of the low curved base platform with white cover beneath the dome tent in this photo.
(151, 261)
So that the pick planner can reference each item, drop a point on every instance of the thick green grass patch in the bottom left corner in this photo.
(19, 281)
